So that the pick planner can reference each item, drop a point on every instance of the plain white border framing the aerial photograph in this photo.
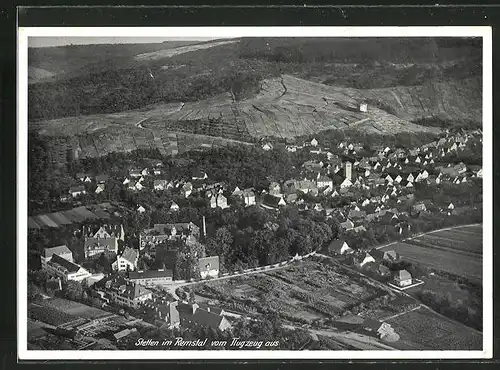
(226, 32)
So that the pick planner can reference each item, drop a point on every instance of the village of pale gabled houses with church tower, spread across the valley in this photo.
(353, 192)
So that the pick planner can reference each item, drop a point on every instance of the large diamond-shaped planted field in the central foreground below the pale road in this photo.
(304, 292)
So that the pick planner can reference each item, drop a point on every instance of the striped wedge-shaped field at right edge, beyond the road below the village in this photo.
(457, 251)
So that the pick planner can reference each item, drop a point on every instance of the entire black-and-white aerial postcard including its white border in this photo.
(255, 192)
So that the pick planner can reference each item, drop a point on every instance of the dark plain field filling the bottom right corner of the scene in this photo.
(424, 330)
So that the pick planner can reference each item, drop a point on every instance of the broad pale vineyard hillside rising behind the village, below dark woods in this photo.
(285, 107)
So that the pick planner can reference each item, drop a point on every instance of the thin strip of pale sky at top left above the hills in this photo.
(38, 42)
